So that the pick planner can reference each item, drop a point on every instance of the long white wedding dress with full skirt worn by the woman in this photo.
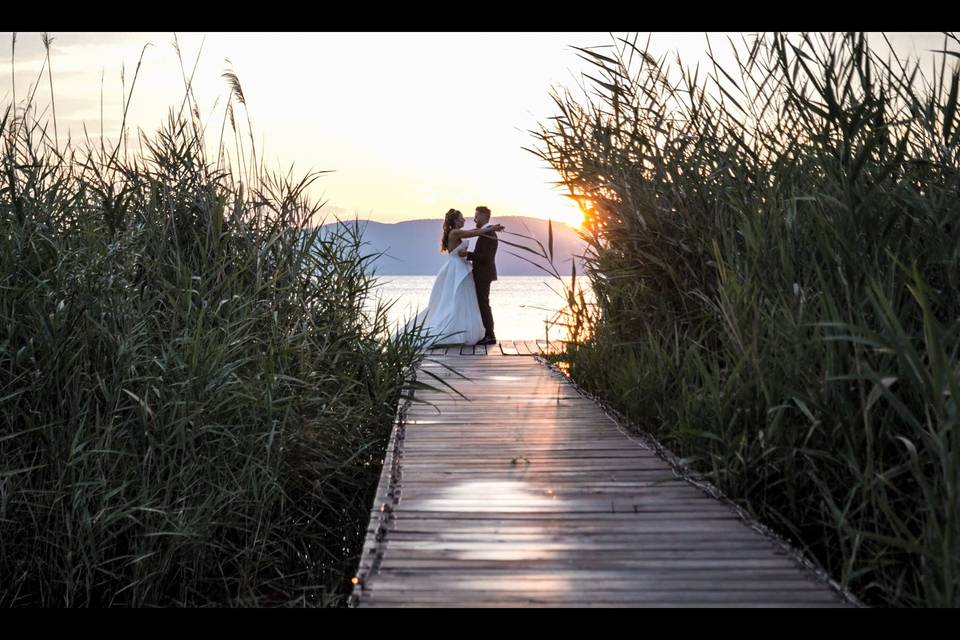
(452, 315)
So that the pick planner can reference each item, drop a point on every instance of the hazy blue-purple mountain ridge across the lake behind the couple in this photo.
(412, 247)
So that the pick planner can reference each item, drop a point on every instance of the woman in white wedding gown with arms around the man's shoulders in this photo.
(452, 315)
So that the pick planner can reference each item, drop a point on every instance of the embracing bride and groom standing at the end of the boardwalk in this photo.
(459, 308)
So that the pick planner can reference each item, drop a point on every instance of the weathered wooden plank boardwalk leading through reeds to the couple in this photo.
(528, 494)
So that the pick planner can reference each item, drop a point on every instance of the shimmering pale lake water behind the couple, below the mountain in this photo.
(520, 304)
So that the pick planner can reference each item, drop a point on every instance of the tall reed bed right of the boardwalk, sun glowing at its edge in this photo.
(774, 252)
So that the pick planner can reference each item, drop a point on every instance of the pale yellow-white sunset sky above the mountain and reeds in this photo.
(410, 124)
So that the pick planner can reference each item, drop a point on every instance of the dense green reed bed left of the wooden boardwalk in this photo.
(194, 405)
